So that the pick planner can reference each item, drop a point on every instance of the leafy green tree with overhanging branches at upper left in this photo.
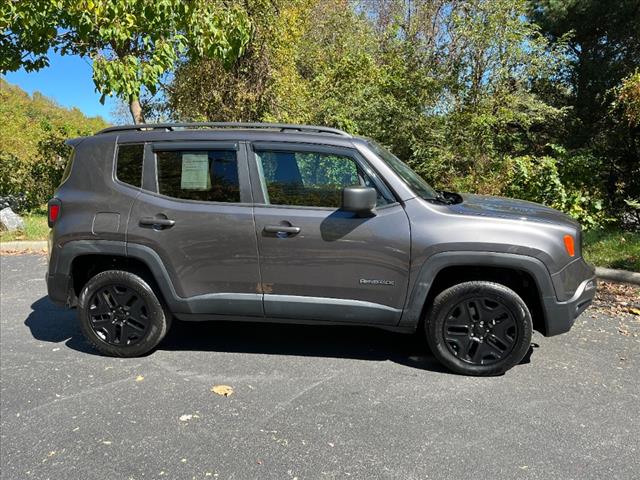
(132, 43)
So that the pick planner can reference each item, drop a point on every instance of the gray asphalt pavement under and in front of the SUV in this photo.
(308, 402)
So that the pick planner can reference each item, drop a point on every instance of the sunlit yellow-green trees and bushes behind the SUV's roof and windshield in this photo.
(450, 87)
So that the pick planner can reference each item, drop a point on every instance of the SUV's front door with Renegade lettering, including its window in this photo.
(318, 262)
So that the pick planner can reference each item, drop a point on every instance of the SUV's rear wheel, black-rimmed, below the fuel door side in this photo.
(120, 315)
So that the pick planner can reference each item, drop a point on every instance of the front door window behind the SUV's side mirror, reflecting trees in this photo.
(312, 179)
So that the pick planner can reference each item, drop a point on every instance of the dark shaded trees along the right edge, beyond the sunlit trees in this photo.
(601, 88)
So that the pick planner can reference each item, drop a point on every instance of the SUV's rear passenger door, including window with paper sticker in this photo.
(195, 213)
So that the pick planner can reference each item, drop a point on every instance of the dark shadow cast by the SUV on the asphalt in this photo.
(49, 323)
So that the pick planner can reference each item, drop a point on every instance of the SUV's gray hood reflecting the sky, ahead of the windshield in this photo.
(510, 208)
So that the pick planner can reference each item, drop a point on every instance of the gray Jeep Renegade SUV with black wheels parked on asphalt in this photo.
(301, 224)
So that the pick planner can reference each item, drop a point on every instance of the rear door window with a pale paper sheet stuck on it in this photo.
(209, 176)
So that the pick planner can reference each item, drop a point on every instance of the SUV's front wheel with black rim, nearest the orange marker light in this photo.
(478, 328)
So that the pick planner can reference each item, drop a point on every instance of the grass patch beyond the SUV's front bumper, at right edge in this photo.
(612, 249)
